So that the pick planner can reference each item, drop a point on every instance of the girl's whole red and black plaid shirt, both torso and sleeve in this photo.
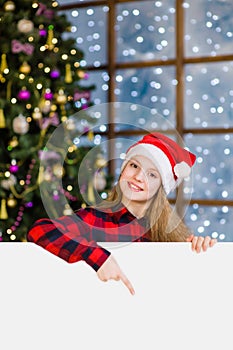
(74, 238)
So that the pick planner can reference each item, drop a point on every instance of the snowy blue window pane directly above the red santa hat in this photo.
(153, 88)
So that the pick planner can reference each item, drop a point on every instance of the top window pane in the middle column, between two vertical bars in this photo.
(145, 30)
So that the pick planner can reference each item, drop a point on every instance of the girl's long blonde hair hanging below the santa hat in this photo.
(164, 224)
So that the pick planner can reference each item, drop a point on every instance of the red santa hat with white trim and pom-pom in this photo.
(172, 161)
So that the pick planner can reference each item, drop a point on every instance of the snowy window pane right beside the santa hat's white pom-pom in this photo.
(213, 170)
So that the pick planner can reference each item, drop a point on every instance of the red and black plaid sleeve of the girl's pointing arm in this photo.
(68, 239)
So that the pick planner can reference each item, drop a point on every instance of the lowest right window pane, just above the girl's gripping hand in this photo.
(215, 221)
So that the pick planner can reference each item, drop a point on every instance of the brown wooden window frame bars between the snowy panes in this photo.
(179, 62)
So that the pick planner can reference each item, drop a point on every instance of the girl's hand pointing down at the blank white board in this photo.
(111, 270)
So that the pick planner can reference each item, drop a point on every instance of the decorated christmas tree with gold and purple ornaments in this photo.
(40, 88)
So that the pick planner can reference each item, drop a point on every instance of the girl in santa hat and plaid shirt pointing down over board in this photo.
(137, 210)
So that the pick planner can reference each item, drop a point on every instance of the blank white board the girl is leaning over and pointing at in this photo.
(183, 300)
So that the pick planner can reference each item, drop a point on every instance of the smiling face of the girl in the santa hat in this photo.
(139, 182)
